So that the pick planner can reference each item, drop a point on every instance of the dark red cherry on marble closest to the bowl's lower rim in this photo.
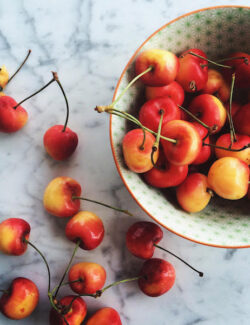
(141, 237)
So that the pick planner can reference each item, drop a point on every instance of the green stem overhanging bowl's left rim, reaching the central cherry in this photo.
(130, 118)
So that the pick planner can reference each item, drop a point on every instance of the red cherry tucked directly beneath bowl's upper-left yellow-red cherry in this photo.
(173, 90)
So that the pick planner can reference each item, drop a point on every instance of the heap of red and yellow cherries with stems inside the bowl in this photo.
(198, 150)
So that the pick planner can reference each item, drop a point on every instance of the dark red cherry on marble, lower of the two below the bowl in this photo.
(157, 276)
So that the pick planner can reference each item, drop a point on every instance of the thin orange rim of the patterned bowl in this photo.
(110, 125)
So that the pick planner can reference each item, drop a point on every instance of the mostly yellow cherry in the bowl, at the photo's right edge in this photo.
(228, 177)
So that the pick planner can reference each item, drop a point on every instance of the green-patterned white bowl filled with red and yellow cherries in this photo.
(180, 126)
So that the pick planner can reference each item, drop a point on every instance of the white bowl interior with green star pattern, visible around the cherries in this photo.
(217, 31)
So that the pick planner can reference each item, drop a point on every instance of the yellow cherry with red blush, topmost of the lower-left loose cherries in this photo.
(58, 197)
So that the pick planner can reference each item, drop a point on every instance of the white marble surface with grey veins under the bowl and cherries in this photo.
(88, 43)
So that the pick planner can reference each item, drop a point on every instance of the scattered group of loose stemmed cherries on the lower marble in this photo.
(86, 279)
